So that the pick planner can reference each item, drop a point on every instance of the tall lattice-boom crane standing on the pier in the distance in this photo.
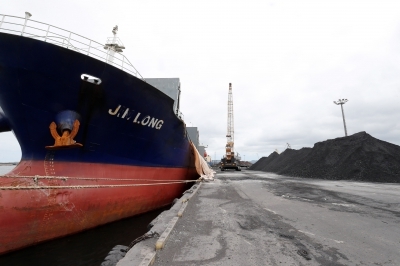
(230, 161)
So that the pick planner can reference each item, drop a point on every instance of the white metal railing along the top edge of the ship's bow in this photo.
(67, 39)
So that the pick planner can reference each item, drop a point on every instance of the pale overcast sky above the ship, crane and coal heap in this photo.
(287, 62)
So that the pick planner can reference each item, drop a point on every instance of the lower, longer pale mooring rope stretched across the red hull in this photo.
(92, 186)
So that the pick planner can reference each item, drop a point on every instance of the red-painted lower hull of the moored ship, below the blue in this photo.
(90, 195)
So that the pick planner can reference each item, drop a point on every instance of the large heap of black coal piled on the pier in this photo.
(358, 157)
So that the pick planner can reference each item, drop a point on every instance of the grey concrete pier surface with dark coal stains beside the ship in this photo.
(258, 218)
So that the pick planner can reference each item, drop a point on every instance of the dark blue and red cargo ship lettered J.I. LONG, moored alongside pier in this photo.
(99, 143)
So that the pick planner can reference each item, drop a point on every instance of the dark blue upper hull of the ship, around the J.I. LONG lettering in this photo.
(39, 80)
